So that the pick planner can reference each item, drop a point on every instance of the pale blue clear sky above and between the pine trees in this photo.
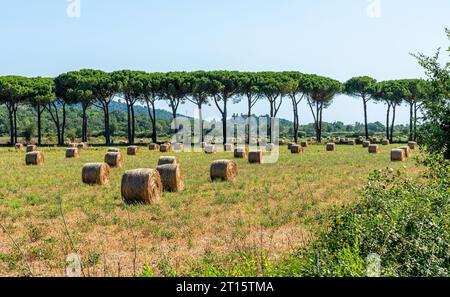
(339, 39)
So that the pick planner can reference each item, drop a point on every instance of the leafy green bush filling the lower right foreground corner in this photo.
(403, 220)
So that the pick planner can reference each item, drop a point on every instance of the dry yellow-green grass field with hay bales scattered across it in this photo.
(273, 208)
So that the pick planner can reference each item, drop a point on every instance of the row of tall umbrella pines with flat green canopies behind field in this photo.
(95, 88)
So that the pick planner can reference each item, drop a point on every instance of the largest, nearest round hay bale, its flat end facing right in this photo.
(141, 186)
